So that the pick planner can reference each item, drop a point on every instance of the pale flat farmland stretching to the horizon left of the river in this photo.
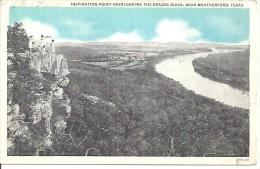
(118, 57)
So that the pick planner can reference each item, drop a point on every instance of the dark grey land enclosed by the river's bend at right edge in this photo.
(229, 68)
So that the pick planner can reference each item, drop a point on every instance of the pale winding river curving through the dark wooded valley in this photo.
(181, 69)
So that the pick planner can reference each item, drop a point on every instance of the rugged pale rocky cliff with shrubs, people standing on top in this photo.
(37, 106)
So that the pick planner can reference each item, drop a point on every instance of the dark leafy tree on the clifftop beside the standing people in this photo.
(17, 39)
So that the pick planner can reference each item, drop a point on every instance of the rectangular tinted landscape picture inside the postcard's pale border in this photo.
(128, 81)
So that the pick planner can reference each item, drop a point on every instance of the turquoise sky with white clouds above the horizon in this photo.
(216, 25)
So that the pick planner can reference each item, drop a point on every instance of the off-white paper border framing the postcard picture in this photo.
(254, 80)
